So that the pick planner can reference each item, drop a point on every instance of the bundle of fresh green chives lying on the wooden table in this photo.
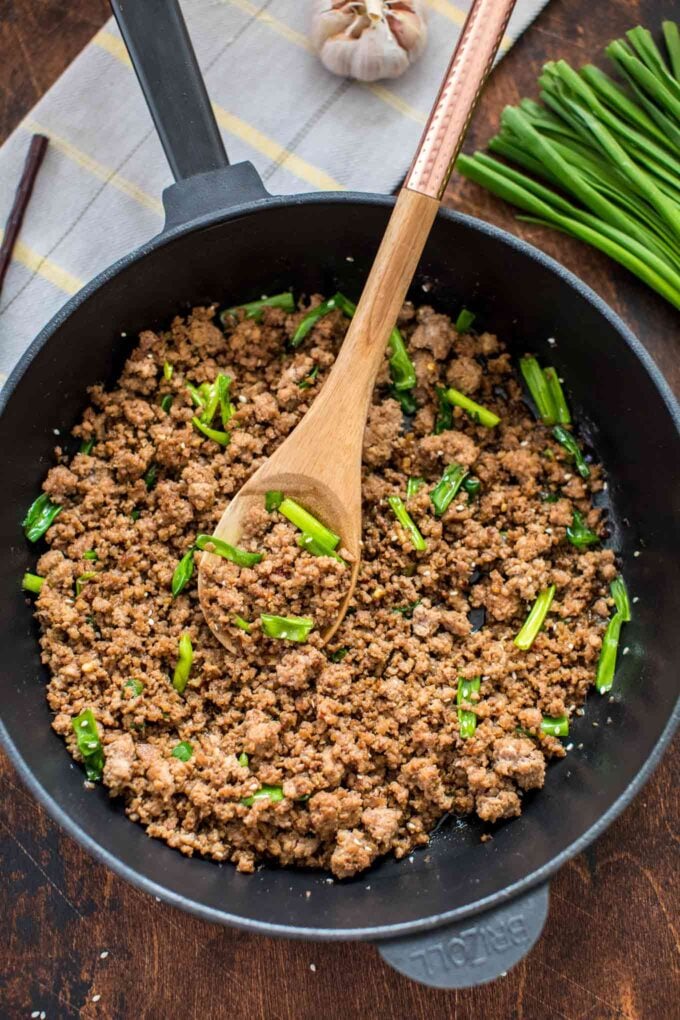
(607, 156)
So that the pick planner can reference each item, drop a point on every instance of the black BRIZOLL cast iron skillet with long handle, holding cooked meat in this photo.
(460, 912)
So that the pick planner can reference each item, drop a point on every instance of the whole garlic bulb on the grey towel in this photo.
(369, 39)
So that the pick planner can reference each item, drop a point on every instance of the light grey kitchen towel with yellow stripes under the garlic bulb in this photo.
(98, 193)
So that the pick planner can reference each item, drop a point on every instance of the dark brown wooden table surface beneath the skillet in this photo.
(77, 941)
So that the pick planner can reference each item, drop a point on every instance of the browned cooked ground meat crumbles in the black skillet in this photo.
(361, 738)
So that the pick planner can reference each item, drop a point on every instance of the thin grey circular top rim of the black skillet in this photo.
(503, 896)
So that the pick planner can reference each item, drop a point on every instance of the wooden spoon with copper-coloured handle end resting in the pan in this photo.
(320, 464)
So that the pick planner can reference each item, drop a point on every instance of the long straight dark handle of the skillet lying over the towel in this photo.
(166, 65)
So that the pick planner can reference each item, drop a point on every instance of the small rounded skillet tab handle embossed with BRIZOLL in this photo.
(475, 951)
